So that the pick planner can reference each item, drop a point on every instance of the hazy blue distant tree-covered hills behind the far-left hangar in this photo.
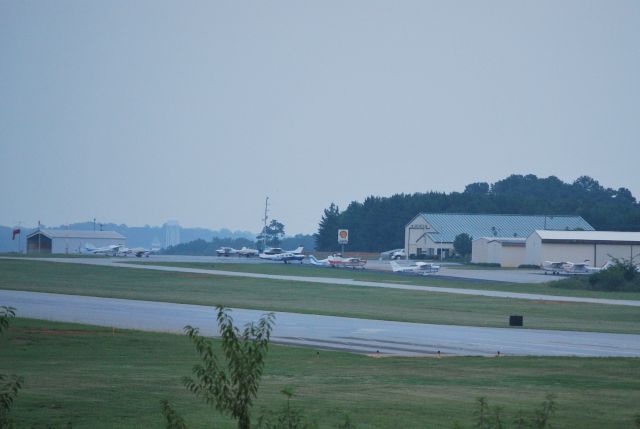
(137, 236)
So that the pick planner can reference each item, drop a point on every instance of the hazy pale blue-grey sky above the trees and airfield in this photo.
(138, 112)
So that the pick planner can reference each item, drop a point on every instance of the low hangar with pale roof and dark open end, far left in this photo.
(47, 241)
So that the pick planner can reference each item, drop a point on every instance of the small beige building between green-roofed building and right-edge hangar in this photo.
(506, 251)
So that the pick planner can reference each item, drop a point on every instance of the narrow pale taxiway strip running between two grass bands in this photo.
(118, 262)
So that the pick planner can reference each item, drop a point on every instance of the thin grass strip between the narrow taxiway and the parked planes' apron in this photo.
(307, 270)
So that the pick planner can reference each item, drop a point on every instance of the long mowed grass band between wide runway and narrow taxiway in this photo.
(290, 296)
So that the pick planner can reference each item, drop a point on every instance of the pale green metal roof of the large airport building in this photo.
(448, 225)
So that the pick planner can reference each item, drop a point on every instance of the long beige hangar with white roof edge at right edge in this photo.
(596, 247)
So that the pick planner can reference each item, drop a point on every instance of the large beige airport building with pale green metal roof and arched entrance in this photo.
(433, 234)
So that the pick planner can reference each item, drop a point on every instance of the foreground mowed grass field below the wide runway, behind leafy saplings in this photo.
(96, 378)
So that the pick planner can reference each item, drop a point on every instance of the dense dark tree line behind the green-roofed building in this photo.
(377, 224)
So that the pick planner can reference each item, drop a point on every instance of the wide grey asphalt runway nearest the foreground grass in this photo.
(338, 333)
